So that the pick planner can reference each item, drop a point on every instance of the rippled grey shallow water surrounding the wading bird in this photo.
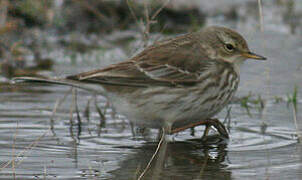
(263, 141)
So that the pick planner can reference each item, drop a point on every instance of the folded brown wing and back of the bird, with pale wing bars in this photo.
(169, 63)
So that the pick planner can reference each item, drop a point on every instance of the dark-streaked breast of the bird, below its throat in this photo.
(207, 98)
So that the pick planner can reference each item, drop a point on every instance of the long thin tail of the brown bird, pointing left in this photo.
(59, 81)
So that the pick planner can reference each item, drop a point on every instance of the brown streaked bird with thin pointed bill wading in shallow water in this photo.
(174, 84)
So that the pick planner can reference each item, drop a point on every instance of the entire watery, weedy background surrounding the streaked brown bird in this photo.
(52, 132)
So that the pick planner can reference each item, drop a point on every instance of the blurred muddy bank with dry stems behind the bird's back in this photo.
(31, 32)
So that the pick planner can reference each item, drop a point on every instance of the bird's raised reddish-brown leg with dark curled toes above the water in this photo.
(208, 122)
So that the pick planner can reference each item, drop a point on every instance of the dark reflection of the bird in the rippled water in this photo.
(191, 159)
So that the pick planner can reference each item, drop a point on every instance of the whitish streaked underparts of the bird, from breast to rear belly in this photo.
(156, 106)
